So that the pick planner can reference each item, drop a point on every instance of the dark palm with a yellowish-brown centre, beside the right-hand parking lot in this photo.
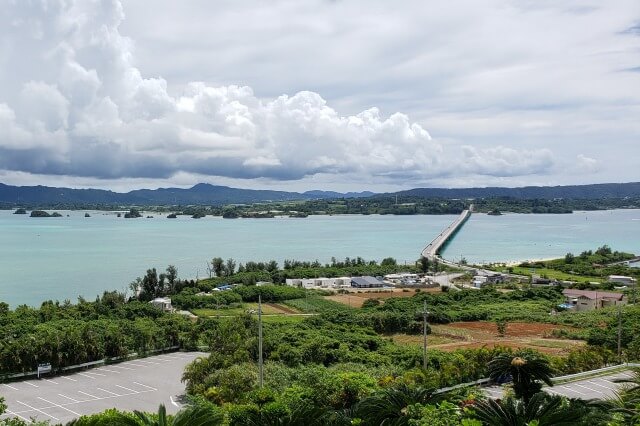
(527, 371)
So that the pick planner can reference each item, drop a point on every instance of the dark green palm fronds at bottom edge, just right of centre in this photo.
(389, 406)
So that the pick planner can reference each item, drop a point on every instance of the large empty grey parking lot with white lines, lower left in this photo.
(140, 384)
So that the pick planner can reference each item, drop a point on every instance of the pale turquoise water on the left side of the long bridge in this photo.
(60, 258)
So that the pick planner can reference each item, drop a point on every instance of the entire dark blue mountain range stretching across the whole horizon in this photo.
(206, 194)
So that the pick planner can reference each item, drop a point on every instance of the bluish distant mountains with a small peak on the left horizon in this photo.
(201, 193)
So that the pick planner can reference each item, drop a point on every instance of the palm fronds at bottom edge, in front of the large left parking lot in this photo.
(191, 416)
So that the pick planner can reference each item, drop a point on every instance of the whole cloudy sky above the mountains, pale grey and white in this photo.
(344, 95)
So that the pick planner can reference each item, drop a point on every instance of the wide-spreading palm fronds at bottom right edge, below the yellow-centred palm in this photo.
(542, 408)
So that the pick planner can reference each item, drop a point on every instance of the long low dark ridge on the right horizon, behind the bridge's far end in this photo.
(595, 191)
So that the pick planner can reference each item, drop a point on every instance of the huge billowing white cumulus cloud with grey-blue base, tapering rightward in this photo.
(75, 104)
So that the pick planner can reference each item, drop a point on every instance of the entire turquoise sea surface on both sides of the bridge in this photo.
(62, 258)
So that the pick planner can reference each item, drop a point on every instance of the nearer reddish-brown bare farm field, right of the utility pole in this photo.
(477, 334)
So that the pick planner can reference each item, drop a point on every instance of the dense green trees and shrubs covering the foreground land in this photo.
(338, 365)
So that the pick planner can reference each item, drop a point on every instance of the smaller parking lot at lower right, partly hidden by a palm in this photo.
(601, 387)
